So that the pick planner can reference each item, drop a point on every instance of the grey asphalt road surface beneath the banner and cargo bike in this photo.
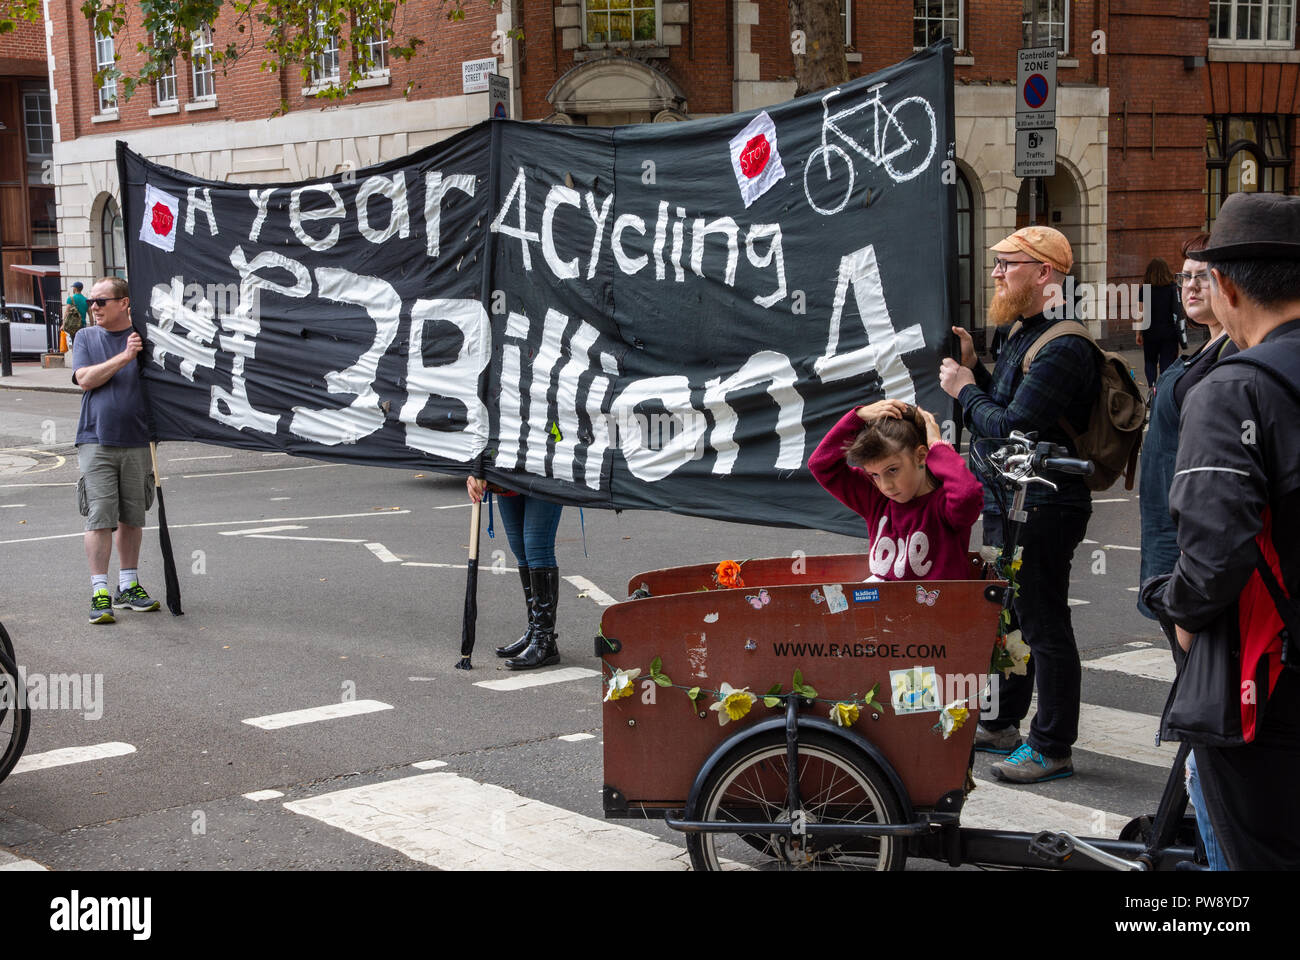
(298, 595)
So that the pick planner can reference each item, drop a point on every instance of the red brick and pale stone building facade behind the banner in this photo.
(591, 62)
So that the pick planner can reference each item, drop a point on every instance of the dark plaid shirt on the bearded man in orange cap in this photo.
(1063, 382)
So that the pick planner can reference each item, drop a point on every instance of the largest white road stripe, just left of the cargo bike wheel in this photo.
(457, 824)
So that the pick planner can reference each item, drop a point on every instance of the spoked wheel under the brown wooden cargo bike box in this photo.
(838, 785)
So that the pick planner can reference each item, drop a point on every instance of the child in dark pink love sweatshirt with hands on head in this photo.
(889, 464)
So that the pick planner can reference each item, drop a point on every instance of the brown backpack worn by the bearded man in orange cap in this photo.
(1115, 429)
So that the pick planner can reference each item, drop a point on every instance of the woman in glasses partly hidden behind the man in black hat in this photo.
(1160, 451)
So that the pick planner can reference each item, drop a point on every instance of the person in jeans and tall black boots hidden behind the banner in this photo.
(531, 525)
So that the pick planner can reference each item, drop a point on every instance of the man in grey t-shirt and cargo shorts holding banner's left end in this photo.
(116, 487)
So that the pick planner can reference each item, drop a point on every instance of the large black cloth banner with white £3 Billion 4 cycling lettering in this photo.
(664, 317)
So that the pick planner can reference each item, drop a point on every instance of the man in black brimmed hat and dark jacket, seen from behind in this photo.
(1236, 499)
